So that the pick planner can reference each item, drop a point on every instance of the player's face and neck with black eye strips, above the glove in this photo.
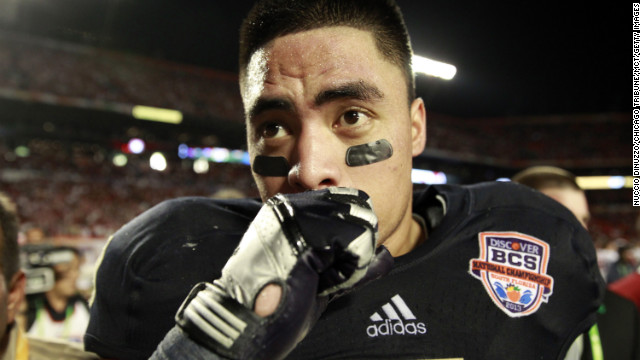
(311, 97)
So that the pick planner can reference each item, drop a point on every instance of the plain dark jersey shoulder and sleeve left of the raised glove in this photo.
(150, 264)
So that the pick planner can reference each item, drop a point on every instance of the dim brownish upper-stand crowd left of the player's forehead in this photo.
(71, 71)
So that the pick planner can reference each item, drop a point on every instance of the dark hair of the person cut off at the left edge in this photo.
(9, 238)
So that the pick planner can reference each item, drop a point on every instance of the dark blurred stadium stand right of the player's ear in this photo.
(578, 140)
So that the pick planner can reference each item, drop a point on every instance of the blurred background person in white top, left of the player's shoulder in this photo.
(61, 312)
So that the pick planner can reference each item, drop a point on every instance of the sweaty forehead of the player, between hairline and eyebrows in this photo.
(318, 58)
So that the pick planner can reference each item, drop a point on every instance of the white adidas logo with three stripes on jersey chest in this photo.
(403, 323)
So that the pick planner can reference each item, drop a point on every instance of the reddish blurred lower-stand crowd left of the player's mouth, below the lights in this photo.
(79, 196)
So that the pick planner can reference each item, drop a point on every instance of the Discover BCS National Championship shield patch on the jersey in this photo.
(513, 269)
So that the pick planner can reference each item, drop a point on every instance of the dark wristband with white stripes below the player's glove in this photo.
(218, 322)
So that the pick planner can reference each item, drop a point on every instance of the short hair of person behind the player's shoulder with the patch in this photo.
(544, 177)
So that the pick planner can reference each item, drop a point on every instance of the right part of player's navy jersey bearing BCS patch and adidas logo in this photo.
(507, 273)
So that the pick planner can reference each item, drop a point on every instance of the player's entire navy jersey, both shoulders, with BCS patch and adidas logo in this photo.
(505, 273)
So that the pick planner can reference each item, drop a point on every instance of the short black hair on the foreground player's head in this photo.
(269, 19)
